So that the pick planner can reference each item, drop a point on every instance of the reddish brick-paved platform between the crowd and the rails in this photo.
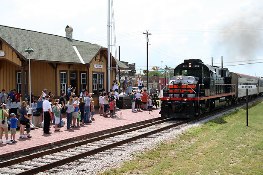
(125, 116)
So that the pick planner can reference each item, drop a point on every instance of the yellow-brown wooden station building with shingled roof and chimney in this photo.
(55, 63)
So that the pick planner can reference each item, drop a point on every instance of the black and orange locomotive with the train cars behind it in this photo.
(197, 88)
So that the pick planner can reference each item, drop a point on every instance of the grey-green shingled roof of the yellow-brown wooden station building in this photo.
(48, 47)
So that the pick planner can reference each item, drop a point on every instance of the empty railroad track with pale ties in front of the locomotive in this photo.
(50, 158)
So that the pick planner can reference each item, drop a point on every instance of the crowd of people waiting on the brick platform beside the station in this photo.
(46, 110)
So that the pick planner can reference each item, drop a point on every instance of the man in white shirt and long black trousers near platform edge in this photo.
(47, 115)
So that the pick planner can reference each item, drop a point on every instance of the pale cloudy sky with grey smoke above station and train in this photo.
(180, 29)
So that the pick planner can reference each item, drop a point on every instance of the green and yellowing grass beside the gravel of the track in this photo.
(222, 146)
